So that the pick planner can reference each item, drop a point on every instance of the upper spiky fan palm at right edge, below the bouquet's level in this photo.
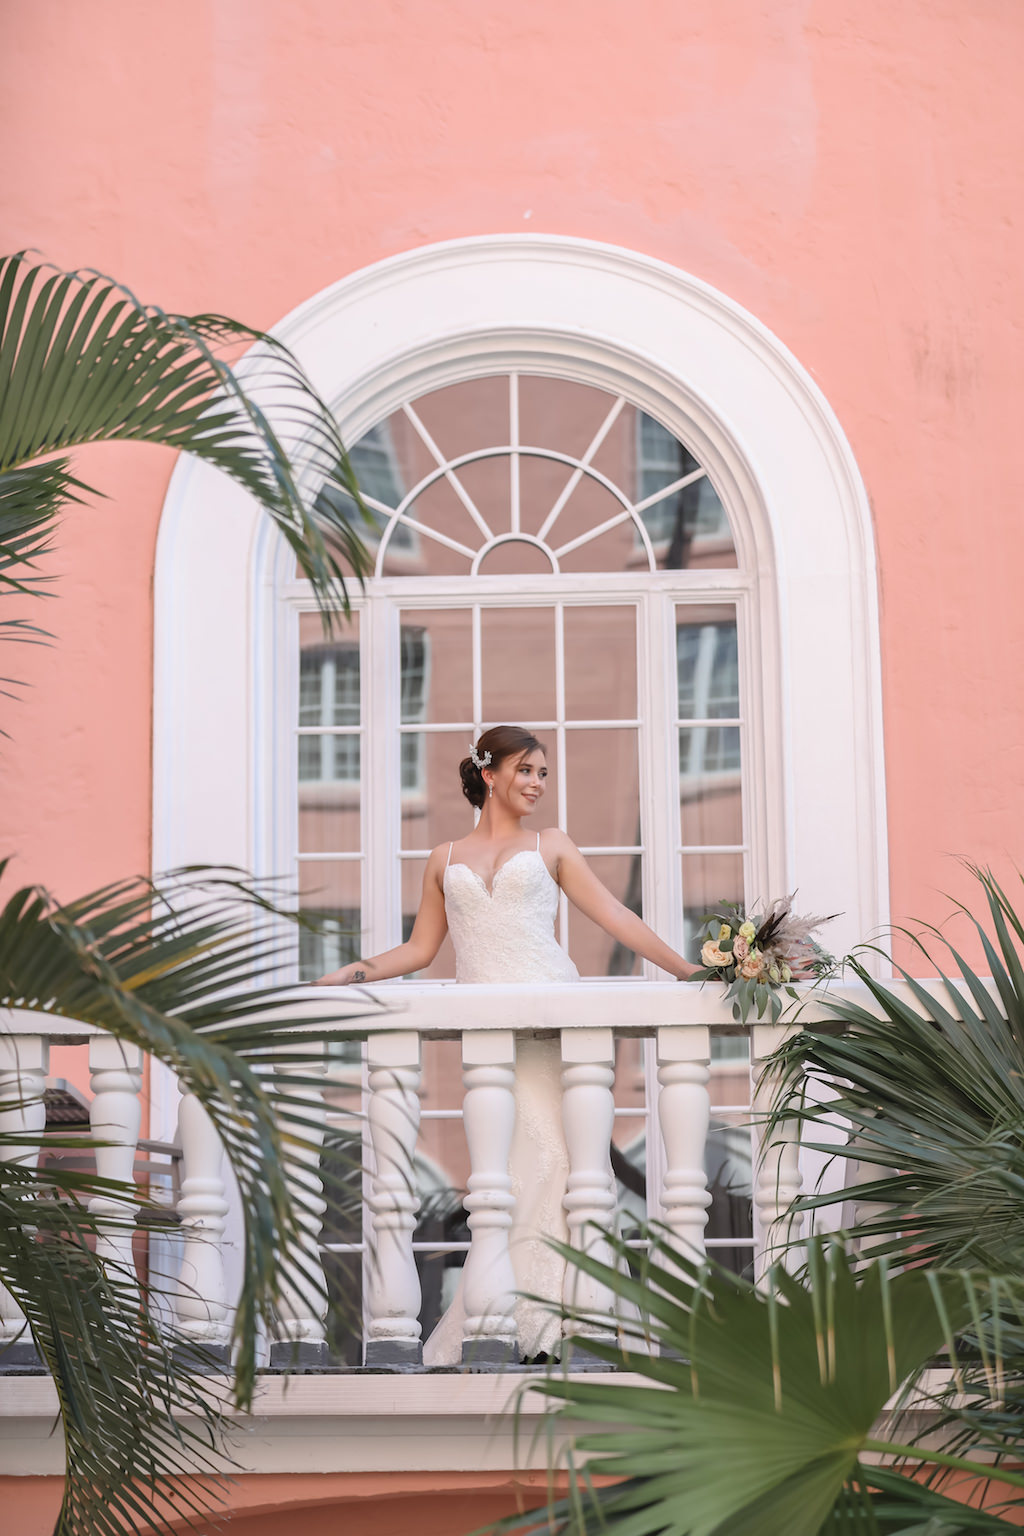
(933, 1090)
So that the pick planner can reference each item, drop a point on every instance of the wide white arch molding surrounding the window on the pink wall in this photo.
(678, 349)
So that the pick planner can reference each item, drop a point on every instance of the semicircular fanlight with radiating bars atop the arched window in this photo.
(507, 455)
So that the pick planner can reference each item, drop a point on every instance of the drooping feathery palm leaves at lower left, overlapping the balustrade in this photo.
(185, 972)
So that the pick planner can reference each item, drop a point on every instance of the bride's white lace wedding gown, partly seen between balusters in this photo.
(500, 936)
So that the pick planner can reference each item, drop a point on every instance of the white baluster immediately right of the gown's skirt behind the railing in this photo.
(589, 1076)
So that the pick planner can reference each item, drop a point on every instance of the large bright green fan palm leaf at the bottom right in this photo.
(762, 1405)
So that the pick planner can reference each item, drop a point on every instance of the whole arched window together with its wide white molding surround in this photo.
(610, 505)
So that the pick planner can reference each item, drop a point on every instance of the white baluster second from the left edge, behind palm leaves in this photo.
(116, 1116)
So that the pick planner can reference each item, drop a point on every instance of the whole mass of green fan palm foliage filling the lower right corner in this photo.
(767, 1409)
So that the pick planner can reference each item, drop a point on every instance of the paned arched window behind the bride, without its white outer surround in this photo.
(549, 555)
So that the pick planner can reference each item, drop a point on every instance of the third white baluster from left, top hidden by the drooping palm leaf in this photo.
(202, 1309)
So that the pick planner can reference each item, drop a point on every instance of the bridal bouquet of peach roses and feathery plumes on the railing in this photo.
(761, 956)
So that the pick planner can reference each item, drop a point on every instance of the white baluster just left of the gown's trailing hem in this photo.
(394, 1293)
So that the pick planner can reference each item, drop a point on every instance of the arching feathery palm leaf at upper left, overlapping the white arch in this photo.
(82, 360)
